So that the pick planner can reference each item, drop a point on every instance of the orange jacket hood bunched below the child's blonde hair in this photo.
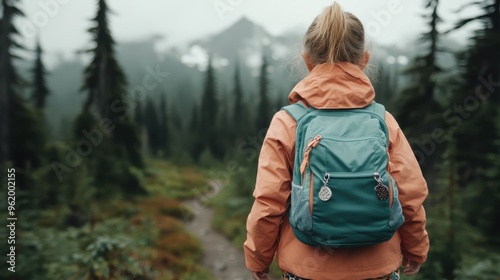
(334, 86)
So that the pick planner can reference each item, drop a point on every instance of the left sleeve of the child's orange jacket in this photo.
(272, 190)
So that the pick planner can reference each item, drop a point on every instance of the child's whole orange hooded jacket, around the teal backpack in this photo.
(342, 85)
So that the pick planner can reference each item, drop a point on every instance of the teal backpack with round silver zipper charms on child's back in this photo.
(342, 194)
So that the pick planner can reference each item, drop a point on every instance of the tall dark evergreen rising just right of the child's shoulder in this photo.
(418, 110)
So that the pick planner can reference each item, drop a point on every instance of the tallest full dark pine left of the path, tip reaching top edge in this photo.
(115, 159)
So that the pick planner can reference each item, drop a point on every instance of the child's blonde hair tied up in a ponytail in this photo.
(335, 36)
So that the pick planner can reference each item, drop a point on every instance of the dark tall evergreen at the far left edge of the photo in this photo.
(20, 143)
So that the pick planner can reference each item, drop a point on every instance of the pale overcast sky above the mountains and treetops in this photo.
(62, 24)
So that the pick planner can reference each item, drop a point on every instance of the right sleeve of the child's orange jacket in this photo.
(412, 188)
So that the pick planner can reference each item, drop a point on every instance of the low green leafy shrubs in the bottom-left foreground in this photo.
(102, 251)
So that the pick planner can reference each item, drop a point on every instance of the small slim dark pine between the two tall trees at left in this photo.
(40, 90)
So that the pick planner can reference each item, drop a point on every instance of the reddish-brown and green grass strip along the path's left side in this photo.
(175, 248)
